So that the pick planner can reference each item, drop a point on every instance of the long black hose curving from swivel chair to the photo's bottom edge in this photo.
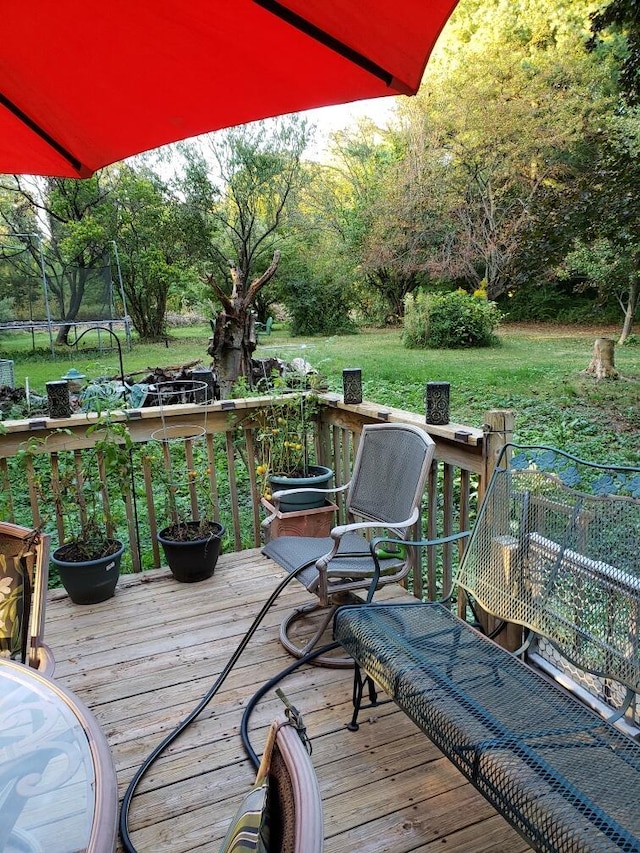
(155, 754)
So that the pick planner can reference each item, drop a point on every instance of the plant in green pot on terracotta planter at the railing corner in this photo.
(284, 440)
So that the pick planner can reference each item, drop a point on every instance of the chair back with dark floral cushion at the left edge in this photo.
(24, 568)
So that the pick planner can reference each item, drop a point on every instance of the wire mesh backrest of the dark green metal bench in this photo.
(556, 548)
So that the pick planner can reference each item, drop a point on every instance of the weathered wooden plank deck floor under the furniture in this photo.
(142, 660)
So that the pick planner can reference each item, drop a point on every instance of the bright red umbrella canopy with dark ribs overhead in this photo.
(84, 84)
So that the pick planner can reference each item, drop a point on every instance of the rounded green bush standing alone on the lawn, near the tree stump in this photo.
(449, 321)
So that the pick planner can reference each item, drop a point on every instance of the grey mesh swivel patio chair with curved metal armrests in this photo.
(389, 474)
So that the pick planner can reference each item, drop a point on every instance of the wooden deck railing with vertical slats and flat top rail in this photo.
(217, 443)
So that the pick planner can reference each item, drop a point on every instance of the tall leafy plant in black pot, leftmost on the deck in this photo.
(88, 561)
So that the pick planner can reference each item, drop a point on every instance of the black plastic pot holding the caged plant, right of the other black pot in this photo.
(191, 560)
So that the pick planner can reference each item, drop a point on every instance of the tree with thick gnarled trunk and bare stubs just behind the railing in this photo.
(243, 207)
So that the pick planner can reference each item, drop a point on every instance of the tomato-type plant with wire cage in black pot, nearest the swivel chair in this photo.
(191, 542)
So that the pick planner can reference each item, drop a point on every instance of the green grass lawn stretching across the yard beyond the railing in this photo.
(536, 371)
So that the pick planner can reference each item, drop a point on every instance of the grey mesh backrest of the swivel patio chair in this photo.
(389, 473)
